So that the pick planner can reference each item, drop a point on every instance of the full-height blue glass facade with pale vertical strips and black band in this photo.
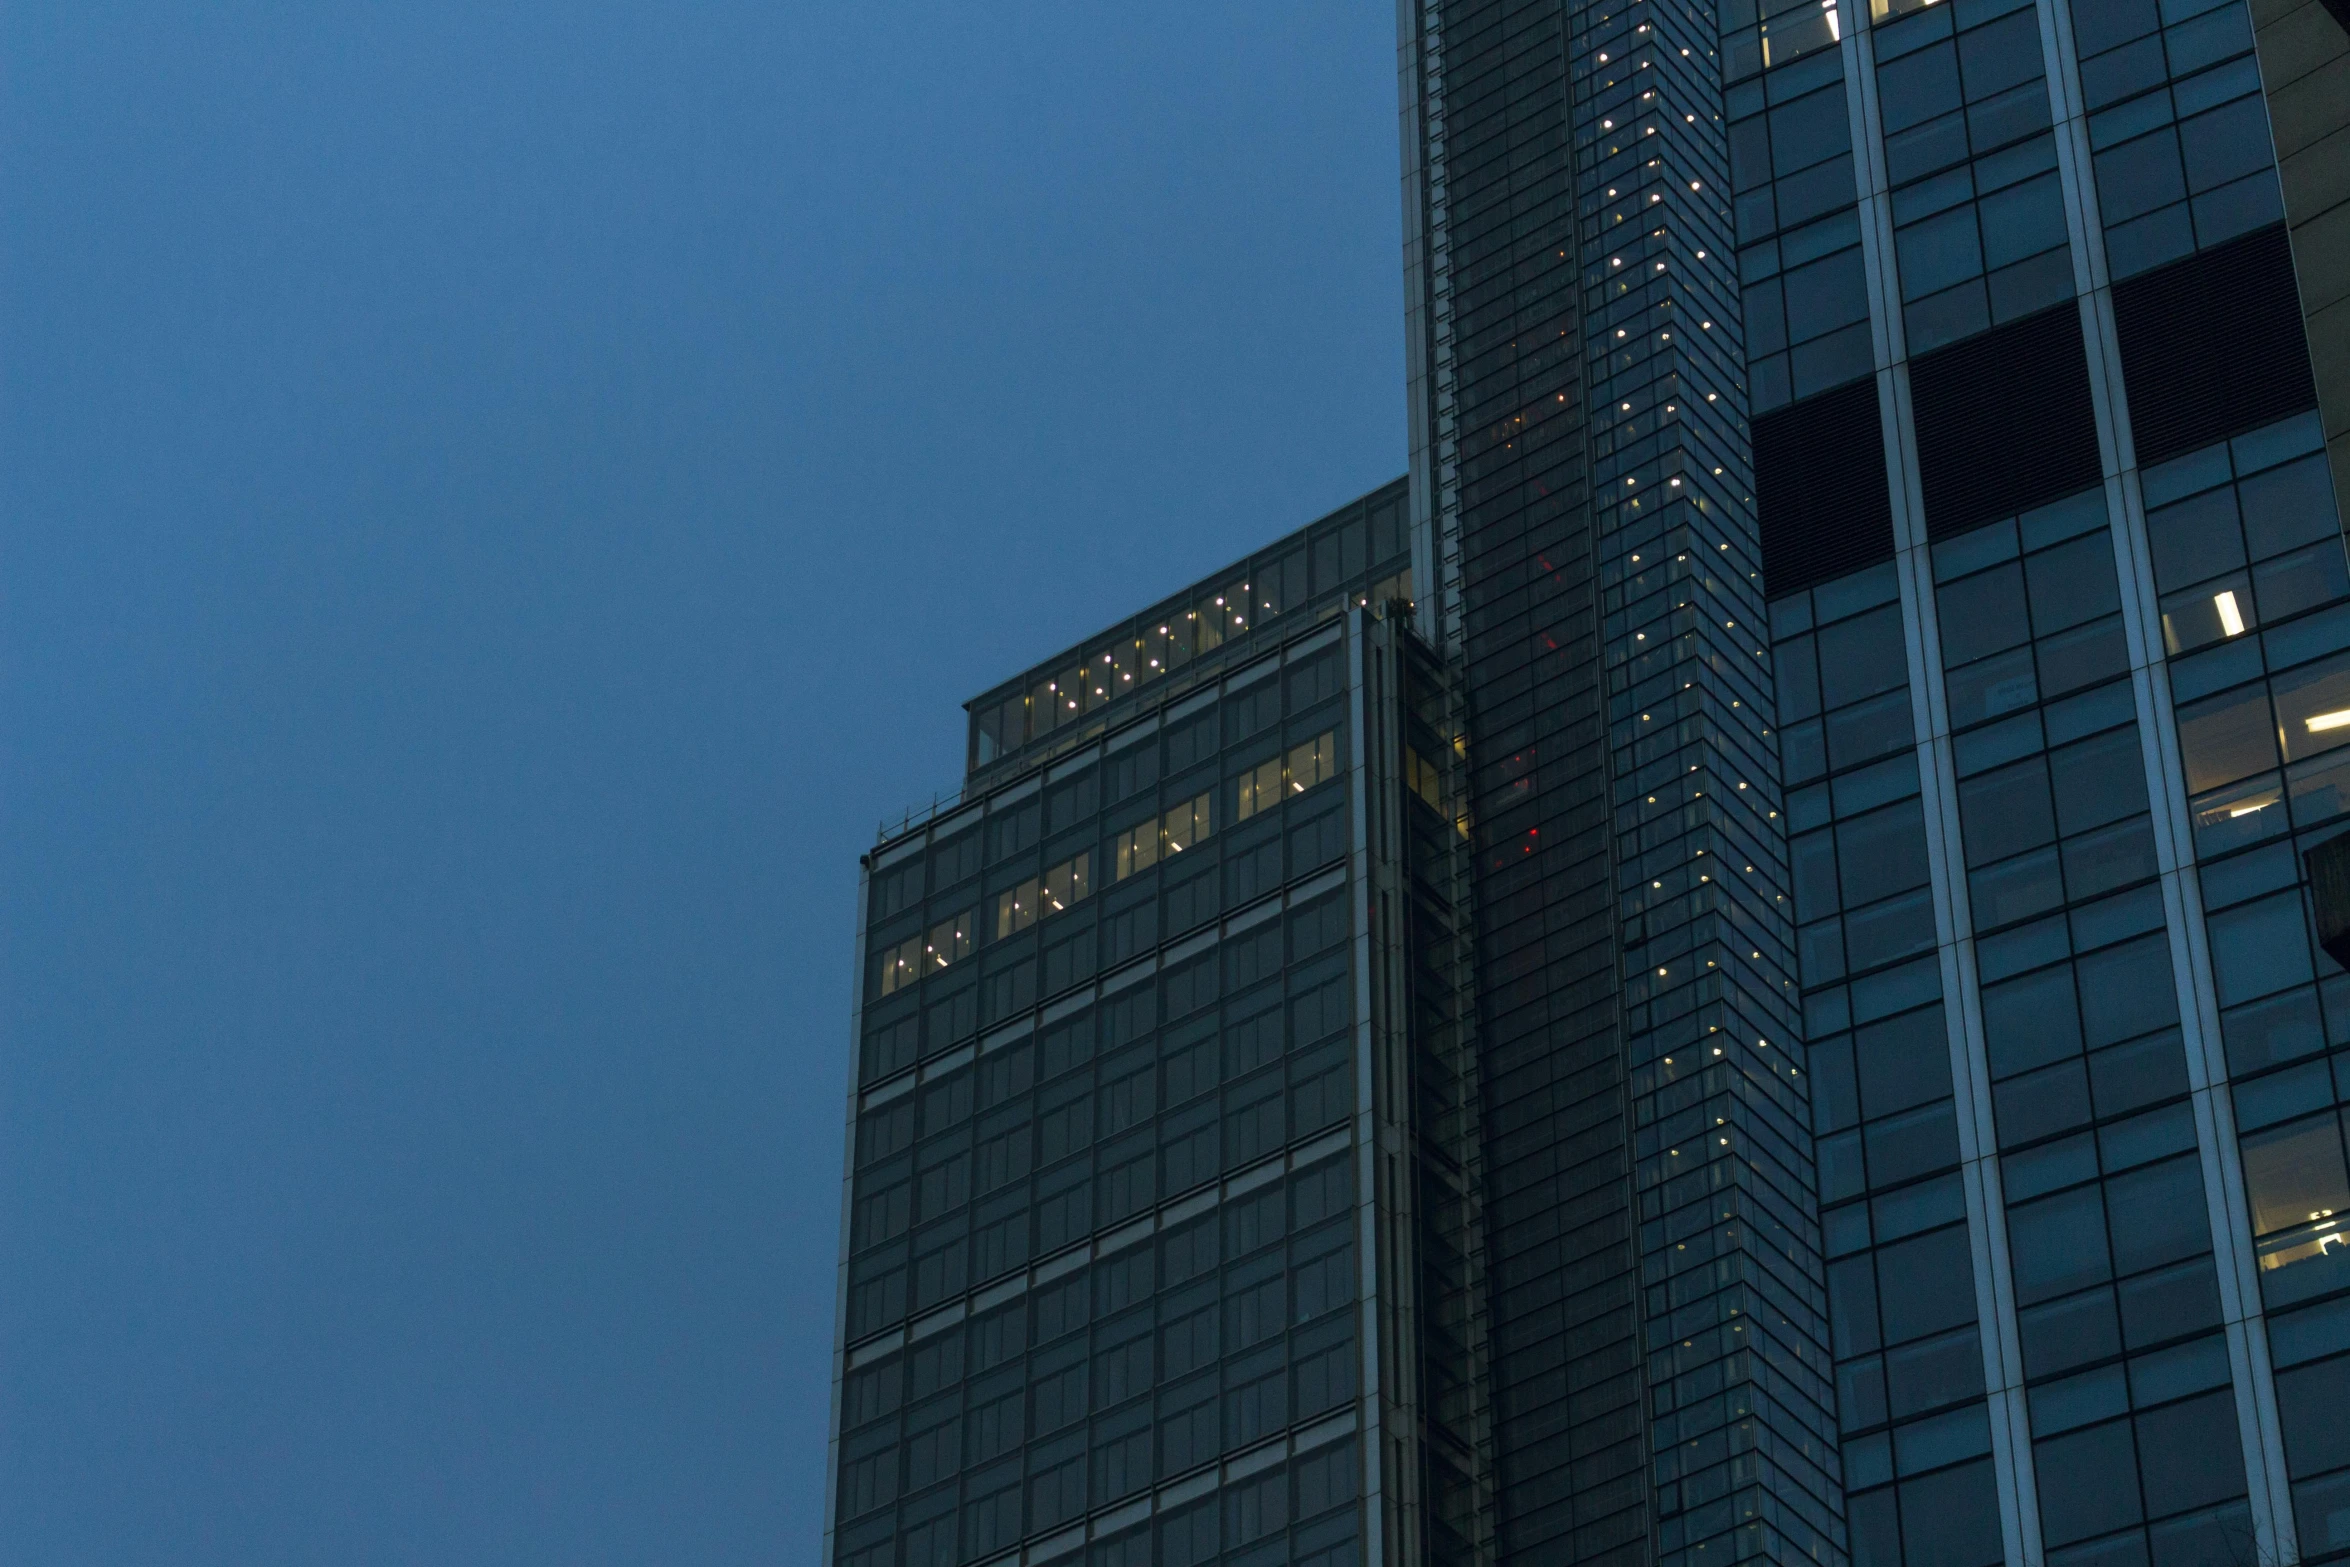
(2050, 1058)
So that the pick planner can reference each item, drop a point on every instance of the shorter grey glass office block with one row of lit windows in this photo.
(1164, 1134)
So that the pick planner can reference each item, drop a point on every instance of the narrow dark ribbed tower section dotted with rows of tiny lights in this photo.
(1660, 1317)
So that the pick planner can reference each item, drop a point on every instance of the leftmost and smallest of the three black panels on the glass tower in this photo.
(1820, 487)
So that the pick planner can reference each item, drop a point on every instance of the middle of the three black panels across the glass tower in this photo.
(2003, 422)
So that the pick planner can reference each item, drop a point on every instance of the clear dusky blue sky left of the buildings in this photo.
(495, 504)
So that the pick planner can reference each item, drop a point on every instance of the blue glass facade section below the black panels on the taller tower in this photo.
(2050, 1204)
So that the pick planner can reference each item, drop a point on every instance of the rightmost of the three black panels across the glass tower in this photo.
(2213, 347)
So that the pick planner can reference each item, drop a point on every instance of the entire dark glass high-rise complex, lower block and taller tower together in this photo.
(1721, 971)
